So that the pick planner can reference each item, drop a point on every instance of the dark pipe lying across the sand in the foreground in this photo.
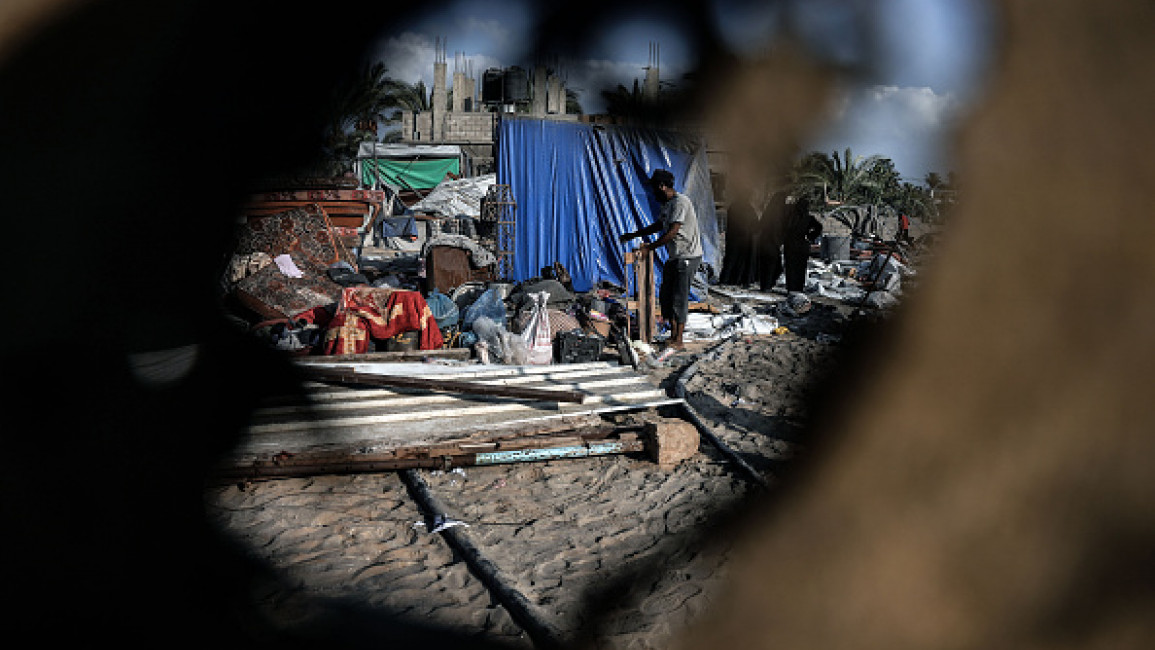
(521, 610)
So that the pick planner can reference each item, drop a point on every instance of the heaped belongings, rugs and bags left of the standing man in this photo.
(409, 283)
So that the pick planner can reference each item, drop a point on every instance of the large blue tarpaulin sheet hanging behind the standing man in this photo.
(579, 186)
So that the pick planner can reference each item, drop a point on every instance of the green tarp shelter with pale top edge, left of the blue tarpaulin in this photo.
(407, 167)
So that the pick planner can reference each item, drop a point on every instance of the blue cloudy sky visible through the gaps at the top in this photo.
(928, 59)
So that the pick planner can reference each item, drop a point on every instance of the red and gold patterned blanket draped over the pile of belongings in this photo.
(367, 313)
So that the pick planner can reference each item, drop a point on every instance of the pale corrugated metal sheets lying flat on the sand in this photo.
(378, 420)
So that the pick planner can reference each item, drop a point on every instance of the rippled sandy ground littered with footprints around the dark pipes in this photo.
(614, 552)
